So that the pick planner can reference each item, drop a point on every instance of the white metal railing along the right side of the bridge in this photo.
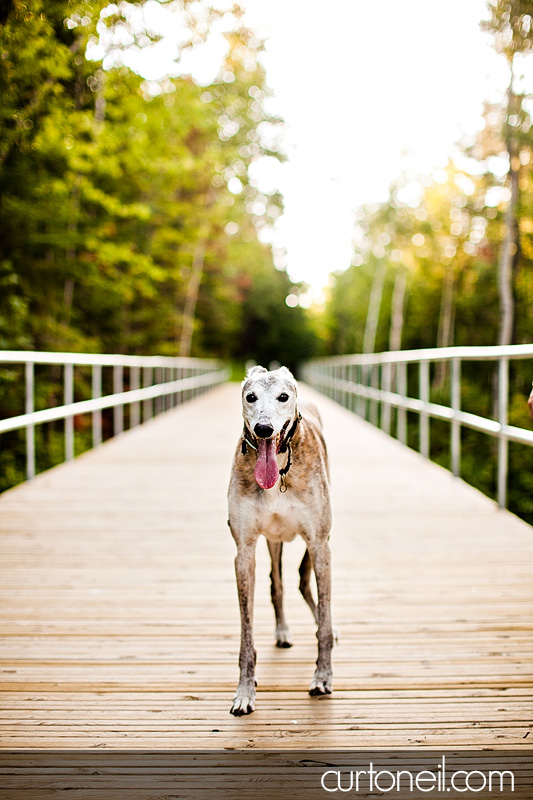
(355, 379)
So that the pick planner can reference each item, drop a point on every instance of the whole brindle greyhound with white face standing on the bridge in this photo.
(279, 487)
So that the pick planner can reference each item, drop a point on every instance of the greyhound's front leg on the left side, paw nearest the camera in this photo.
(244, 700)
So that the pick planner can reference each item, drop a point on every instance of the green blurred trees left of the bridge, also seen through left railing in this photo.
(110, 187)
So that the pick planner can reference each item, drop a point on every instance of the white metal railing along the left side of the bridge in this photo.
(165, 383)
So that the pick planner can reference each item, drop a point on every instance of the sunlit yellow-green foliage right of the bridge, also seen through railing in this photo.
(446, 232)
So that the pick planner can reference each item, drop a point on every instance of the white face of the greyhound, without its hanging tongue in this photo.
(268, 401)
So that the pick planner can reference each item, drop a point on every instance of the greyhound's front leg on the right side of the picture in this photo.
(322, 682)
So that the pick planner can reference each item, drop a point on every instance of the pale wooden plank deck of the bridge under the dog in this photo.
(119, 619)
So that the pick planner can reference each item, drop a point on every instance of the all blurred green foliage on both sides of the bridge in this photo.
(130, 223)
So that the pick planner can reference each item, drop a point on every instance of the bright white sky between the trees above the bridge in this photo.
(367, 91)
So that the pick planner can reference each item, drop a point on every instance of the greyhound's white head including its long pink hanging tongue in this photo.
(269, 410)
